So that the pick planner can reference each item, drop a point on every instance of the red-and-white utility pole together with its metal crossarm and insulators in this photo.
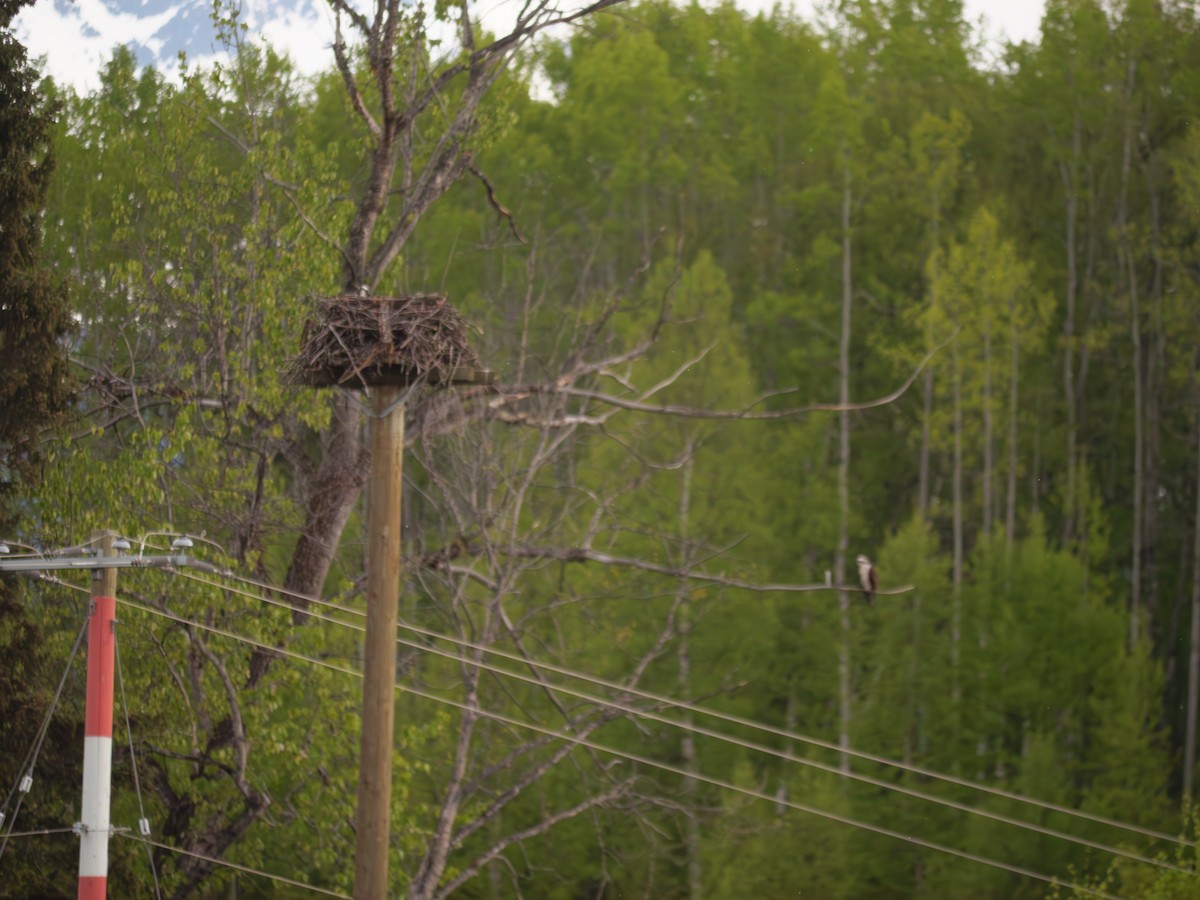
(94, 827)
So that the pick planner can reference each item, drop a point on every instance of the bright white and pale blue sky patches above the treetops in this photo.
(76, 37)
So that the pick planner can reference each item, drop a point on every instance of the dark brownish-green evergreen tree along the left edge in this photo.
(33, 395)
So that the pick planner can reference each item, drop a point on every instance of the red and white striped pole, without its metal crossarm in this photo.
(98, 742)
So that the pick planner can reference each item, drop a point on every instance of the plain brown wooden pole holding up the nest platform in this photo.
(374, 817)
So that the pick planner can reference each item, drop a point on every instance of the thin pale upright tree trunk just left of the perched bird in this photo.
(844, 467)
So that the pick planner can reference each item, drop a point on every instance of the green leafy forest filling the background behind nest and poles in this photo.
(760, 298)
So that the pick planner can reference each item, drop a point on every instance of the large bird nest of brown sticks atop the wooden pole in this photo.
(361, 340)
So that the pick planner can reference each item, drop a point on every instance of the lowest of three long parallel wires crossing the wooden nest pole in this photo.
(641, 760)
